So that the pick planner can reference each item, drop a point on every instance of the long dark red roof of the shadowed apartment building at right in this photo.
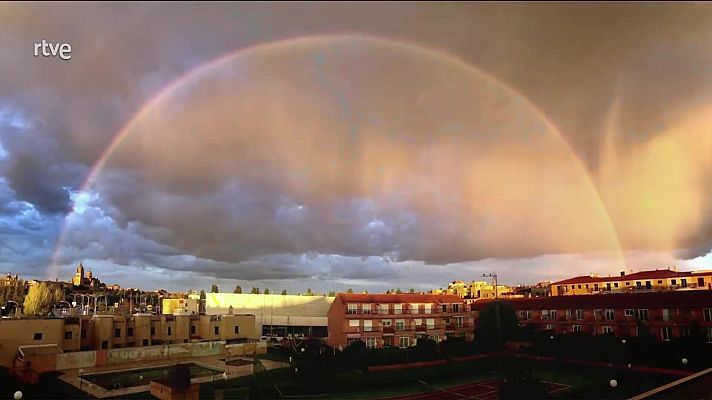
(669, 299)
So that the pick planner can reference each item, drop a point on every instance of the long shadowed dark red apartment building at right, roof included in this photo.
(667, 315)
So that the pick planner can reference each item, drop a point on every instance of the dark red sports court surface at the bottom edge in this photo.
(482, 390)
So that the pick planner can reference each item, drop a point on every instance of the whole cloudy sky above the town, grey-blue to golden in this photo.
(346, 145)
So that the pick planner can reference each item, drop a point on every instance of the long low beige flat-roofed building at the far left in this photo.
(105, 332)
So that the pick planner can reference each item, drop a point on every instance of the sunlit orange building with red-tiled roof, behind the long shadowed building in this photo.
(652, 280)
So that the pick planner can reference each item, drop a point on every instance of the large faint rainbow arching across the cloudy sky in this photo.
(210, 66)
